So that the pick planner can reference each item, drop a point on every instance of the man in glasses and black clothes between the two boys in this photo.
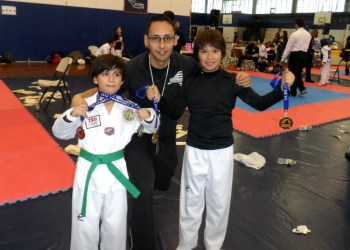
(148, 168)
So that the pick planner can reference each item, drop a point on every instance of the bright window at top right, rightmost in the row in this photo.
(307, 6)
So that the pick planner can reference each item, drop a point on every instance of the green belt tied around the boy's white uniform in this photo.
(105, 159)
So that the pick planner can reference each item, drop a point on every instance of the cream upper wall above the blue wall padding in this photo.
(179, 7)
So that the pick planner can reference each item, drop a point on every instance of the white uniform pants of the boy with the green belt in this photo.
(111, 209)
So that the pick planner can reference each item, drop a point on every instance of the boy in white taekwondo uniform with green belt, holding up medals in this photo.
(104, 128)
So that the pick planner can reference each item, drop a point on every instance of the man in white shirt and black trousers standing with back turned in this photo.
(296, 54)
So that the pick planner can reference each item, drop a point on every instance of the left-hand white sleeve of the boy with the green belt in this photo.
(65, 126)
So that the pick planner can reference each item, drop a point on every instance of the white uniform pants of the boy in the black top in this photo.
(206, 177)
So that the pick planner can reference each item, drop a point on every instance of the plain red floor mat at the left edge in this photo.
(31, 162)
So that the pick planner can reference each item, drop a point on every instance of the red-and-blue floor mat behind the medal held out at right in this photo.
(319, 106)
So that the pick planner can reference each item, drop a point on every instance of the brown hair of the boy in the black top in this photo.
(212, 37)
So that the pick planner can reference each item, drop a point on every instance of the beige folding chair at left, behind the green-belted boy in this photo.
(58, 82)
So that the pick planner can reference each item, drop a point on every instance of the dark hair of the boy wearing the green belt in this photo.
(106, 62)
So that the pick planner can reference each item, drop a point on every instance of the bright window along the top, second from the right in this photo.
(274, 6)
